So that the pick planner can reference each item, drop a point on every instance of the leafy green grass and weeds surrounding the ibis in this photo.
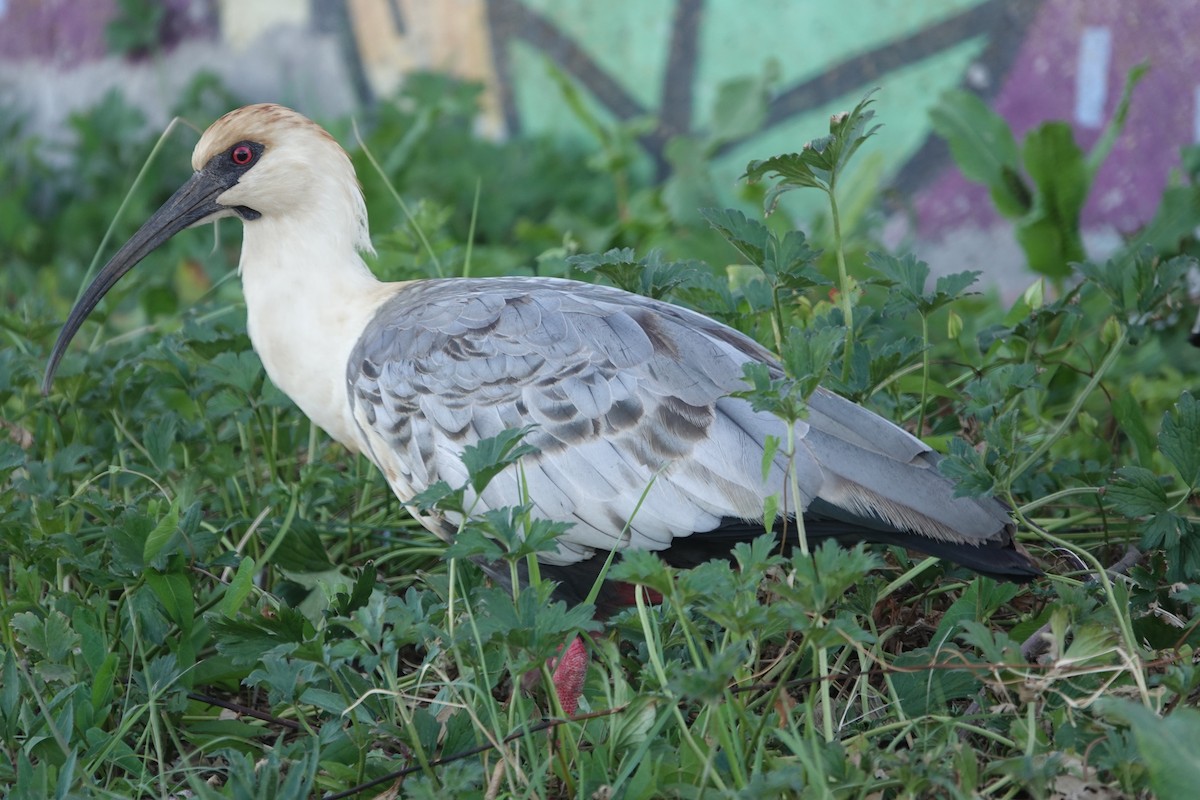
(201, 593)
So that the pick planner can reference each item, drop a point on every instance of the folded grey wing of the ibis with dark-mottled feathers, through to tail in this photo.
(639, 440)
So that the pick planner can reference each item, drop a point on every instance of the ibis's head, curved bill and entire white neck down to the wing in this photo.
(305, 225)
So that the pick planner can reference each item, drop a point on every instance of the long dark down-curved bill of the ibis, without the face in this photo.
(195, 202)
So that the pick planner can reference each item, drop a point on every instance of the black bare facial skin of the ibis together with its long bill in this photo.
(194, 203)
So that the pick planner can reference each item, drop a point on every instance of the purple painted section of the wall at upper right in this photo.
(1046, 83)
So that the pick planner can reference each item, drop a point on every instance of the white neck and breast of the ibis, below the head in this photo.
(309, 298)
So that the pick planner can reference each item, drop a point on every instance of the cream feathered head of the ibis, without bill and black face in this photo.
(299, 173)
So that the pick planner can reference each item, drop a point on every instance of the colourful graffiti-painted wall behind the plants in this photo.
(667, 62)
